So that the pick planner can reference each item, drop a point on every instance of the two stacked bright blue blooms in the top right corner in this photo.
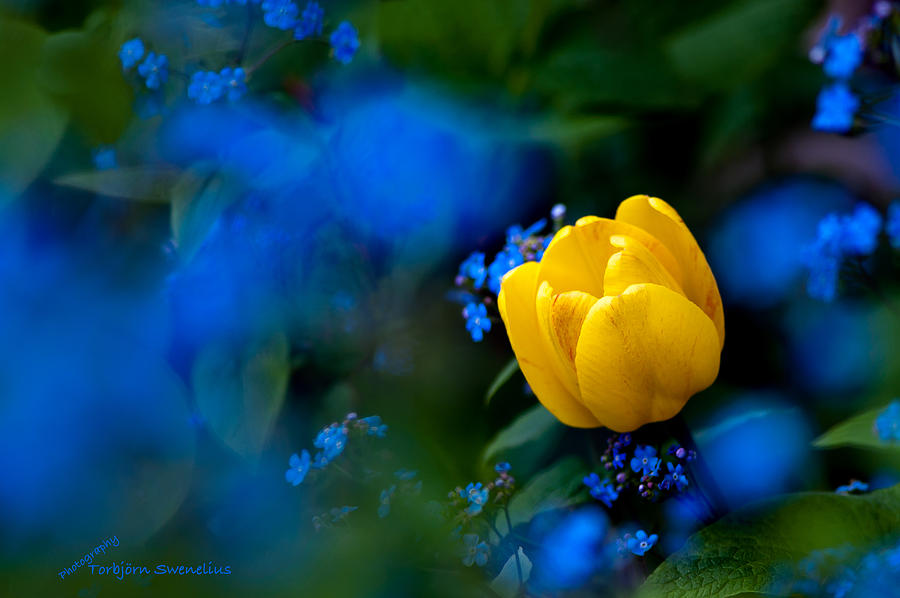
(840, 55)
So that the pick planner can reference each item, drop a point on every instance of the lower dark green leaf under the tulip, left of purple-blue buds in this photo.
(556, 487)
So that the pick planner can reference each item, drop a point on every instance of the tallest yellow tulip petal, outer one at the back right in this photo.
(662, 221)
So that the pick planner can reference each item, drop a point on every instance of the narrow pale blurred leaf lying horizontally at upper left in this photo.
(139, 183)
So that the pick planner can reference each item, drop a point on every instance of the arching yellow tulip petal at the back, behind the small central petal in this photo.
(577, 257)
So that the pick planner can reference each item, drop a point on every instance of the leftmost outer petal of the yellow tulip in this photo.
(518, 311)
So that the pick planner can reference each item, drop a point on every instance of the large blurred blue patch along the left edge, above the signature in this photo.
(94, 425)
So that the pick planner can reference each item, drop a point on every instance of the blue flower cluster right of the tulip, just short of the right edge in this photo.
(839, 237)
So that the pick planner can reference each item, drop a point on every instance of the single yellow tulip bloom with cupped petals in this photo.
(621, 321)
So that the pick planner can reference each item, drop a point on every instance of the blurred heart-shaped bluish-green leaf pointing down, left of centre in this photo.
(240, 391)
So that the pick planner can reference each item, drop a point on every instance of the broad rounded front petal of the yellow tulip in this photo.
(642, 354)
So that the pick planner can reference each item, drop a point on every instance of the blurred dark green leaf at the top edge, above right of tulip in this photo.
(739, 42)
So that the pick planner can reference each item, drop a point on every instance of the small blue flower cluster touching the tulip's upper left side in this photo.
(482, 280)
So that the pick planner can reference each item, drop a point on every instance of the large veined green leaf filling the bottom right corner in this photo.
(750, 549)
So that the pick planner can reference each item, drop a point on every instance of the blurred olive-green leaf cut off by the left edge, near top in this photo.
(31, 121)
